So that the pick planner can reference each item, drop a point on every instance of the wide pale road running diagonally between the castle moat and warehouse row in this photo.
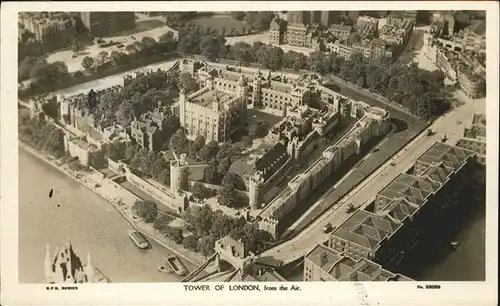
(364, 193)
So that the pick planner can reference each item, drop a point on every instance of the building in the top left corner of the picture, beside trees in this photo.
(53, 30)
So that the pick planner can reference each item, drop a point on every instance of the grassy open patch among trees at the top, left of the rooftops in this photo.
(223, 24)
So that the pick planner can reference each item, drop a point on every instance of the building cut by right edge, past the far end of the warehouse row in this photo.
(474, 138)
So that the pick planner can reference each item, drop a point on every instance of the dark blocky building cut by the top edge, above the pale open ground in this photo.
(101, 24)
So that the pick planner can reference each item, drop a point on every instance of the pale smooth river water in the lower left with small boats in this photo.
(92, 225)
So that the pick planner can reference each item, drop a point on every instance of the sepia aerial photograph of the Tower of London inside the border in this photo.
(251, 146)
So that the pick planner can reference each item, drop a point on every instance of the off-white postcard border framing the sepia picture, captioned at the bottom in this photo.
(452, 293)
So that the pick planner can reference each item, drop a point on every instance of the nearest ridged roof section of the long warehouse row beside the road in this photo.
(366, 229)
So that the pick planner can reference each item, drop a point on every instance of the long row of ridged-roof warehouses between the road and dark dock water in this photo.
(405, 207)
